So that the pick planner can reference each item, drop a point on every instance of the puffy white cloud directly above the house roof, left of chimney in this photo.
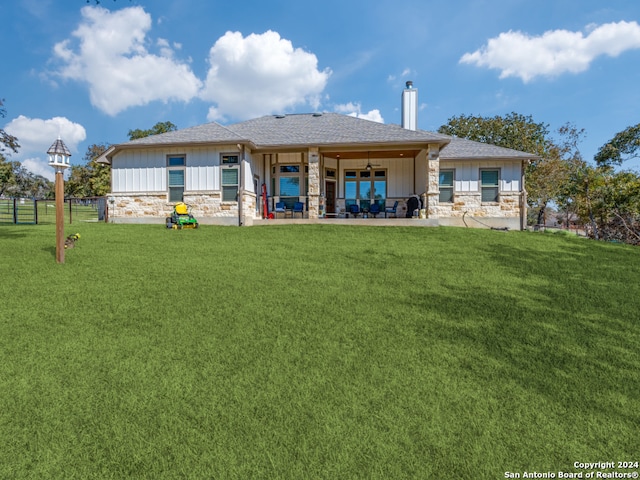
(260, 74)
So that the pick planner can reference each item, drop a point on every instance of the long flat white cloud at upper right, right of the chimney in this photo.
(555, 52)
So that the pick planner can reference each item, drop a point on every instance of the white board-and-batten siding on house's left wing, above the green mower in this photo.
(146, 170)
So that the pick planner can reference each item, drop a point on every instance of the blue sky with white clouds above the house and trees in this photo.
(90, 73)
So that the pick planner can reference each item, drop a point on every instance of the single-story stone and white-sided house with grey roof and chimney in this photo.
(326, 161)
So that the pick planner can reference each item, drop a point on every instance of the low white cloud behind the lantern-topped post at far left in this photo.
(36, 135)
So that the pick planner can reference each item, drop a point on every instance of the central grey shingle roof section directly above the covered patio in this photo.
(327, 129)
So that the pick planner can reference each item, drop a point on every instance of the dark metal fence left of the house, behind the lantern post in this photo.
(30, 211)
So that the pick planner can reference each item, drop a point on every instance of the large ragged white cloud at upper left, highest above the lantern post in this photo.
(112, 59)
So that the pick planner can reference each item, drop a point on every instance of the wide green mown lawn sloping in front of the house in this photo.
(314, 351)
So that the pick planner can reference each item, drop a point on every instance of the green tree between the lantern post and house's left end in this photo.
(92, 179)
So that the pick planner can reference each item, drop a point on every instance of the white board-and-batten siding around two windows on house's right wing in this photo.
(467, 174)
